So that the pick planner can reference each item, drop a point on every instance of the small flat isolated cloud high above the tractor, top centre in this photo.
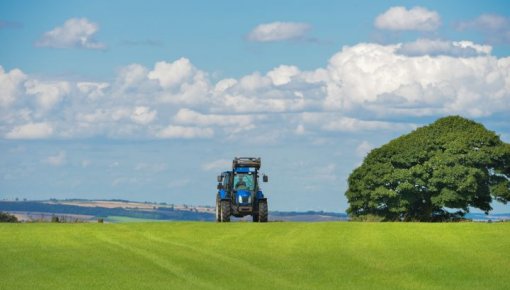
(278, 31)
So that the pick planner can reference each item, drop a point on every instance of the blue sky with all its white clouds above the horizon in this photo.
(151, 100)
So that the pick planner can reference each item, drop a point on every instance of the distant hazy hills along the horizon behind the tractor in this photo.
(123, 210)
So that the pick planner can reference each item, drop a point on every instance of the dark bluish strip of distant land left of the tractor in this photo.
(157, 214)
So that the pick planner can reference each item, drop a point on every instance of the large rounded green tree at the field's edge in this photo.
(448, 166)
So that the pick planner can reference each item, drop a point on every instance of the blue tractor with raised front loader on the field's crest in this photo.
(239, 193)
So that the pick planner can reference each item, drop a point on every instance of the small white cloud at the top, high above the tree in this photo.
(416, 18)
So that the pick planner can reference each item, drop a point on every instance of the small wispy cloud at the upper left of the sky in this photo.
(76, 32)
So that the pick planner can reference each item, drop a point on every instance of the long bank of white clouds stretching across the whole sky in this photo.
(363, 88)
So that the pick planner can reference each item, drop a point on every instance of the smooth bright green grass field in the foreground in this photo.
(195, 255)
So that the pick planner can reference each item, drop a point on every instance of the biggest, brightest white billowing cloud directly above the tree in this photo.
(376, 78)
